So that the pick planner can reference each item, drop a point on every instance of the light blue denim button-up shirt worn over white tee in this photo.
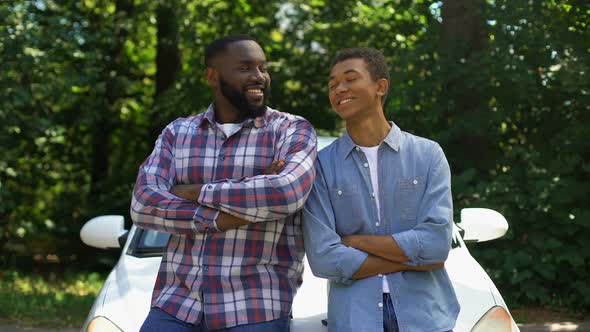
(416, 209)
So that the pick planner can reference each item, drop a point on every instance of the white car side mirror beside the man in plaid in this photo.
(104, 232)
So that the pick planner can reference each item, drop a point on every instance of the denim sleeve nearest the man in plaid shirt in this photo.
(327, 256)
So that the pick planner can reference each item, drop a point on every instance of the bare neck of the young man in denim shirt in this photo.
(370, 130)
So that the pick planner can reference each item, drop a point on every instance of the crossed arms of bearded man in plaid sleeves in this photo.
(159, 204)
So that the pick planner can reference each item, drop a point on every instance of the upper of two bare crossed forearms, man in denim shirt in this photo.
(378, 245)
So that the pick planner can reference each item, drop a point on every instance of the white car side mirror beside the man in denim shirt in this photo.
(482, 225)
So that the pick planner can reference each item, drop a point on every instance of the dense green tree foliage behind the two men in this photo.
(505, 92)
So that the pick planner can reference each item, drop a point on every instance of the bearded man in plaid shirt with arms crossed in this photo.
(227, 185)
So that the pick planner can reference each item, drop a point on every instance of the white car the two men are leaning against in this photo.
(124, 301)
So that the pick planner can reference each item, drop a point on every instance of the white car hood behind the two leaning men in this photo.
(126, 296)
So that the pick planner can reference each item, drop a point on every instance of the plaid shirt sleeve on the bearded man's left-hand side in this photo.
(154, 207)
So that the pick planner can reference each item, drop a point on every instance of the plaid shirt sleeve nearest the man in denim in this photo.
(271, 197)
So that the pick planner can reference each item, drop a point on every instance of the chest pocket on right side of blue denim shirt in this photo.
(411, 191)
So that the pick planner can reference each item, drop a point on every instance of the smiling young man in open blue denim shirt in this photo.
(378, 222)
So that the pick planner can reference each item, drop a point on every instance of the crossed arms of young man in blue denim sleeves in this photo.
(422, 248)
